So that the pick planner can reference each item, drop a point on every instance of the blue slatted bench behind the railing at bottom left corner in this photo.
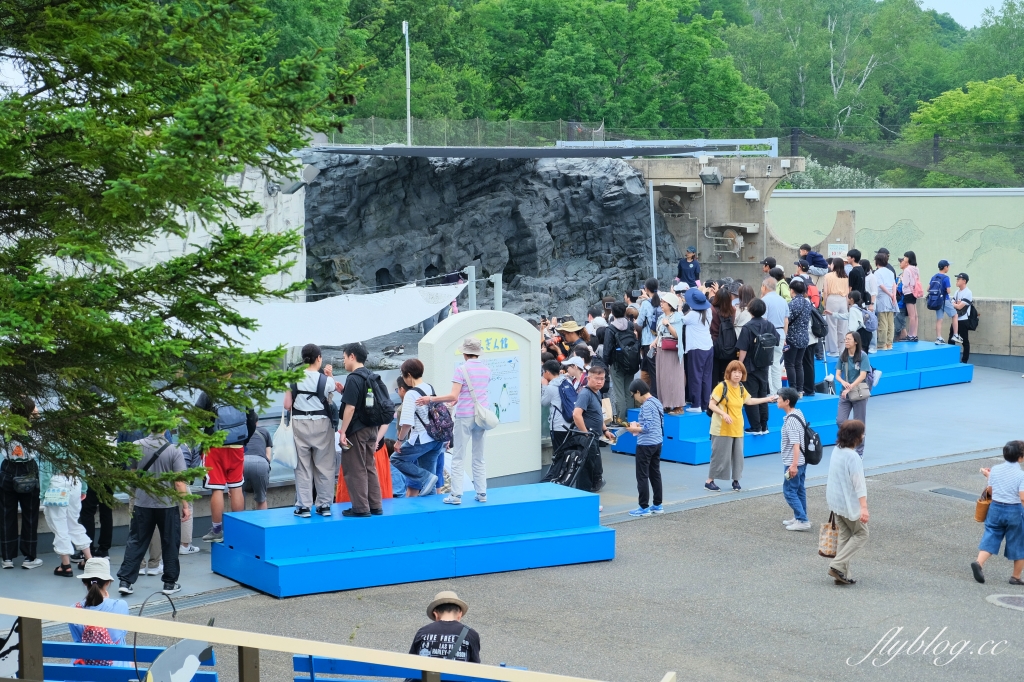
(75, 651)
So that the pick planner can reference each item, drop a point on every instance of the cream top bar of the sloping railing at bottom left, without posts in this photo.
(32, 610)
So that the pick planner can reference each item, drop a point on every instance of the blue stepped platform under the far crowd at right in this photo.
(907, 368)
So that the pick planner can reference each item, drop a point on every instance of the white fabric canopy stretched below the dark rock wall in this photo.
(339, 320)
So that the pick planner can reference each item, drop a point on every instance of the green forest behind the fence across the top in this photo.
(877, 93)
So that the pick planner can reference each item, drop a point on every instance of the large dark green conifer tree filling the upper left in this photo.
(132, 115)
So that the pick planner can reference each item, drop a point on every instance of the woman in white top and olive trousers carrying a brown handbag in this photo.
(846, 493)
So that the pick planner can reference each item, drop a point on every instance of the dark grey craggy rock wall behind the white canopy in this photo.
(564, 233)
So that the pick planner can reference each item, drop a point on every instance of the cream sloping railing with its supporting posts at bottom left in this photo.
(32, 615)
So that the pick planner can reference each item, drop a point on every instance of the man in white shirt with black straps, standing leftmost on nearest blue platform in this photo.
(310, 402)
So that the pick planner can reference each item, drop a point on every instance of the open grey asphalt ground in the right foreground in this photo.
(720, 592)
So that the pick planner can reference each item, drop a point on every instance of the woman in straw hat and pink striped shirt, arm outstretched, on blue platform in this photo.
(473, 377)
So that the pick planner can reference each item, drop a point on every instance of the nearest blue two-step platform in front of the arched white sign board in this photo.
(416, 539)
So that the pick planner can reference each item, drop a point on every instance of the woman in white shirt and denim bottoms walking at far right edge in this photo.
(1004, 523)
